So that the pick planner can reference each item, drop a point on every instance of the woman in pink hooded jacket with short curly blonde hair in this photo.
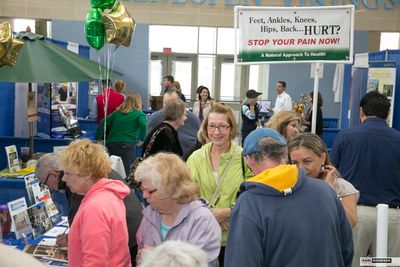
(99, 234)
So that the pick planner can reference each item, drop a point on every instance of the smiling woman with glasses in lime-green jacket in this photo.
(217, 166)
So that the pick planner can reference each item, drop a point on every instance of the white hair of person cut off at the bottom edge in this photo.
(175, 254)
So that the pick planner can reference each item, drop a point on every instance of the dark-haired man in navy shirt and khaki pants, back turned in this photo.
(368, 156)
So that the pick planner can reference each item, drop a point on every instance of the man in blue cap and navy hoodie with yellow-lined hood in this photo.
(282, 217)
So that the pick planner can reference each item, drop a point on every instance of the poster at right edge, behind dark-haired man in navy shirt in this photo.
(382, 78)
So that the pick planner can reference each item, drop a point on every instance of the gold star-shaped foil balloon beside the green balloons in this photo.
(119, 25)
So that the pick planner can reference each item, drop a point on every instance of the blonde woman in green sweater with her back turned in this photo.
(124, 130)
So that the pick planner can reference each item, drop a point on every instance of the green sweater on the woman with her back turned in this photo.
(123, 127)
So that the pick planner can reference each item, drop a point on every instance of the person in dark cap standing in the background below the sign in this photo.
(250, 113)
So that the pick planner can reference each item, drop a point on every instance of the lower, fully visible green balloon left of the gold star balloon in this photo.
(94, 29)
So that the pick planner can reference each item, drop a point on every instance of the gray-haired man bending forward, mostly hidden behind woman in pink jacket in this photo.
(49, 173)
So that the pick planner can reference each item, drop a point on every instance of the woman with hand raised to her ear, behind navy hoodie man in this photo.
(309, 152)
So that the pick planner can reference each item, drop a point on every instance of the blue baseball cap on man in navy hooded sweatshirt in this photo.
(251, 142)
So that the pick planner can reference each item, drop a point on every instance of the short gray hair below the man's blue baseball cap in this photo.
(272, 149)
